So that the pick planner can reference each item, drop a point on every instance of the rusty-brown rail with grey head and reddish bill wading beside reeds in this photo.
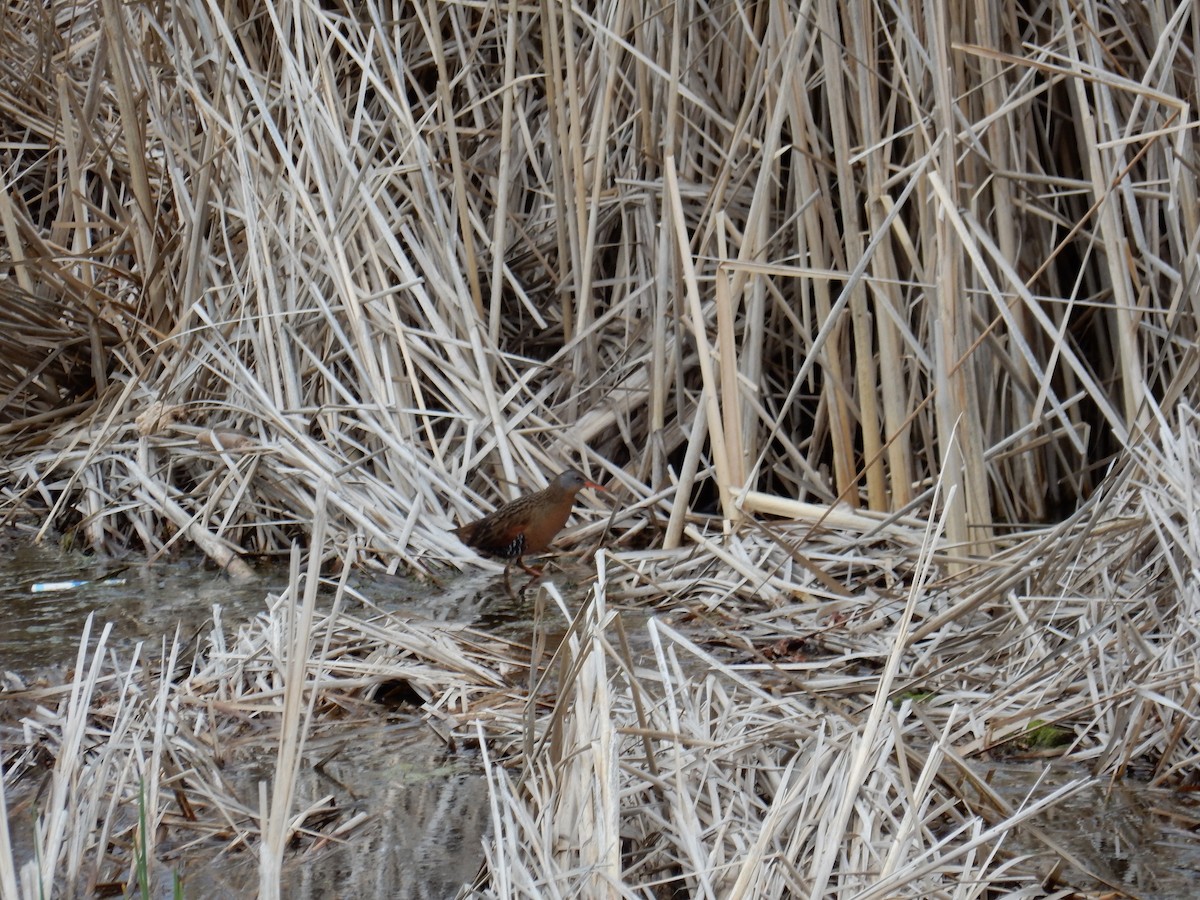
(529, 524)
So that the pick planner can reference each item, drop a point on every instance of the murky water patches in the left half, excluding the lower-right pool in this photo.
(427, 808)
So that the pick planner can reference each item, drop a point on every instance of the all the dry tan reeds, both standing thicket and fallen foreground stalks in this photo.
(779, 273)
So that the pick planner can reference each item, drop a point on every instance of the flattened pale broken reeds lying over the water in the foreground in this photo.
(727, 751)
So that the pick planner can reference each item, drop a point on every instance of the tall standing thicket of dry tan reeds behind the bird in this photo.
(868, 251)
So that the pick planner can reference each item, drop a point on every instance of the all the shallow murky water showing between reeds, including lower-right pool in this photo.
(428, 808)
